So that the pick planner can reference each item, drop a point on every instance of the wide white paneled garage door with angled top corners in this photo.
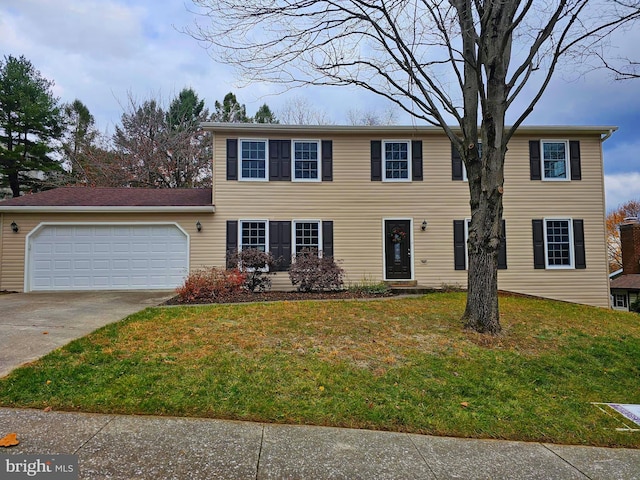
(107, 257)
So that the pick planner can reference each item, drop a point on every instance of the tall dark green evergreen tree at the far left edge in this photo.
(30, 120)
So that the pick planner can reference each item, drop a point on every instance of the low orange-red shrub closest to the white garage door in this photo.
(210, 283)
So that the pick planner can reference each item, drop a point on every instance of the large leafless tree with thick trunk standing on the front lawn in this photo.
(458, 62)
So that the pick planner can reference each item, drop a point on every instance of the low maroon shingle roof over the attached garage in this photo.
(112, 199)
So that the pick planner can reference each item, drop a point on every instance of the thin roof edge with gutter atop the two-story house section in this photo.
(605, 130)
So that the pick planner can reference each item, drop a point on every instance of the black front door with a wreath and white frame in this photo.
(397, 249)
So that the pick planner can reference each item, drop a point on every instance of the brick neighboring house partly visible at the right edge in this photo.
(625, 285)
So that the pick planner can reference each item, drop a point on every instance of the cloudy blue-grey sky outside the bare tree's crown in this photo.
(103, 51)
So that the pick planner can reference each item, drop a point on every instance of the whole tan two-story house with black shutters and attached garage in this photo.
(389, 203)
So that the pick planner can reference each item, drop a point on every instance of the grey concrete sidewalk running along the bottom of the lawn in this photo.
(135, 447)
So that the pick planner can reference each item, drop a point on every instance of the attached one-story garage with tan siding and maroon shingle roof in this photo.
(82, 238)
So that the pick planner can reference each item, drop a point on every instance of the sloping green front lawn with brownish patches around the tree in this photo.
(400, 364)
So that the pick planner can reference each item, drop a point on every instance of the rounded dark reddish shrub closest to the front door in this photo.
(311, 273)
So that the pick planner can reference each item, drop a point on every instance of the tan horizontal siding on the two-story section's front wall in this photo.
(357, 206)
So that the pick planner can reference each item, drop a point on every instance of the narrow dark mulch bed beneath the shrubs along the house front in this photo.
(273, 296)
